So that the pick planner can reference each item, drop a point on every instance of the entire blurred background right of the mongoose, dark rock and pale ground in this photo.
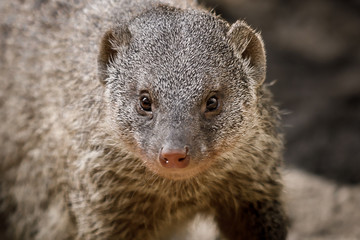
(313, 53)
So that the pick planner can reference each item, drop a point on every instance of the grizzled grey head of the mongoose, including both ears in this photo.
(181, 87)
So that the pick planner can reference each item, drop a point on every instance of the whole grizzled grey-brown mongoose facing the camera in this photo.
(124, 119)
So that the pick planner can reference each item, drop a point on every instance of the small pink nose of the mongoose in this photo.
(174, 158)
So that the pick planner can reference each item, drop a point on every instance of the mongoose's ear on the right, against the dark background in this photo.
(248, 44)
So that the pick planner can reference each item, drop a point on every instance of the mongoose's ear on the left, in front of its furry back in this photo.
(111, 43)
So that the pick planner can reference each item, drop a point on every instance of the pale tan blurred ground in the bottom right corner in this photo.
(321, 209)
